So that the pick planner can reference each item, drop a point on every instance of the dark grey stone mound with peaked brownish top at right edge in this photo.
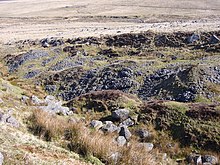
(182, 83)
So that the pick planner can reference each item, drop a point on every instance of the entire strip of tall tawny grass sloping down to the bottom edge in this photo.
(87, 142)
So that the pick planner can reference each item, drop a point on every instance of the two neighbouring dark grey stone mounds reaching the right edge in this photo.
(182, 83)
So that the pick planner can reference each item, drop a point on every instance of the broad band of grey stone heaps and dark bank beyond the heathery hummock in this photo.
(76, 68)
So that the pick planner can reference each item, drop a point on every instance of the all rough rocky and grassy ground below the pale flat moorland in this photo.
(146, 98)
